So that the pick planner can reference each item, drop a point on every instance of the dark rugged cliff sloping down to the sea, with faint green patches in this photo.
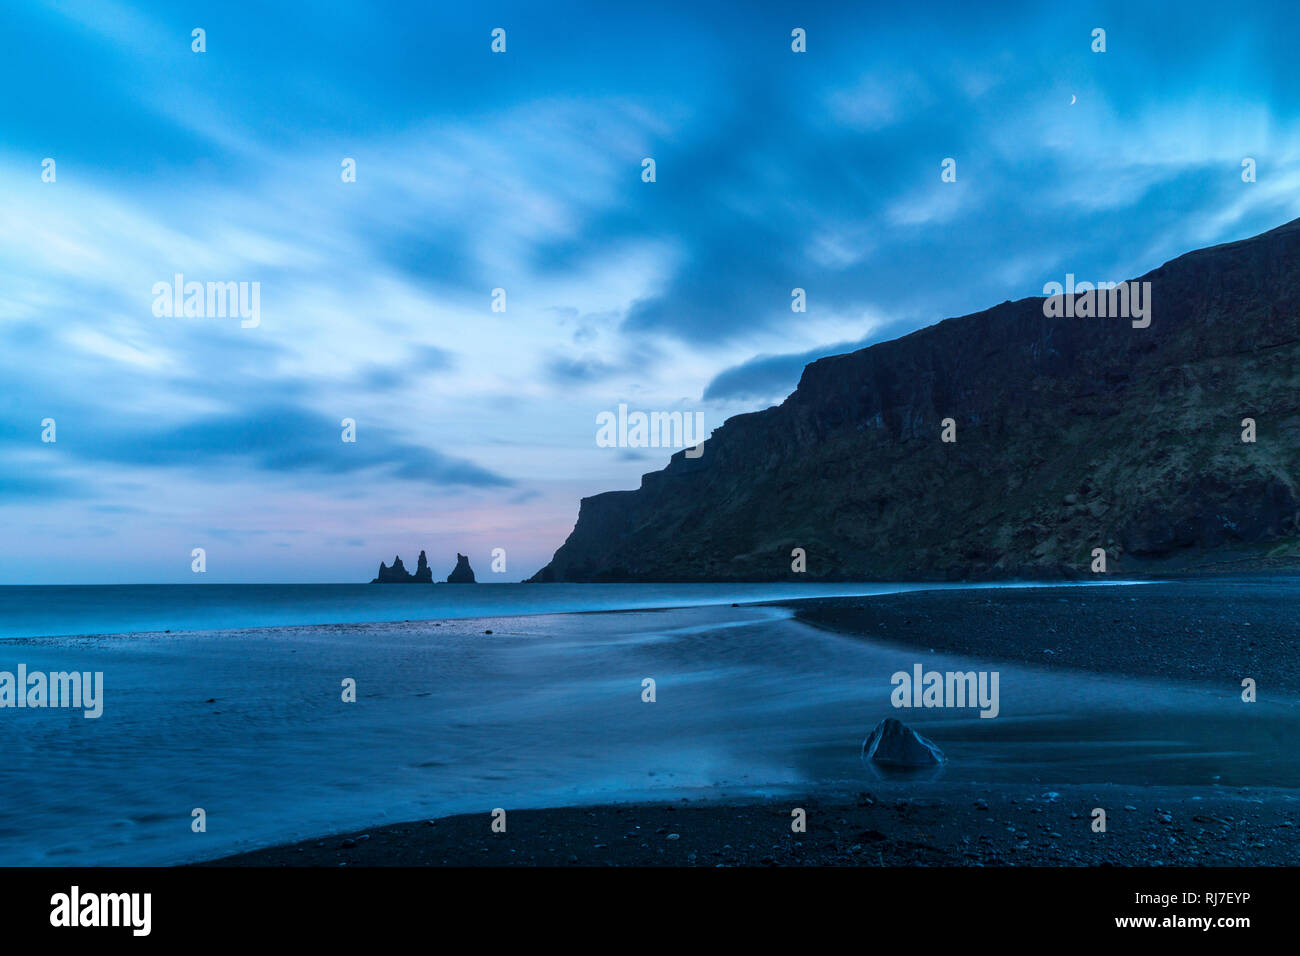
(1072, 434)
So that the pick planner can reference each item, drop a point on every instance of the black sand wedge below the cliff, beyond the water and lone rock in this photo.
(1202, 630)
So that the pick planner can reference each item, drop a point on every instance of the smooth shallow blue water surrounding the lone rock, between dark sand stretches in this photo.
(250, 726)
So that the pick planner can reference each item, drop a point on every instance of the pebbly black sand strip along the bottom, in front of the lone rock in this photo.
(950, 825)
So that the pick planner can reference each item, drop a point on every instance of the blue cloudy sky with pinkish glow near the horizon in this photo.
(523, 171)
